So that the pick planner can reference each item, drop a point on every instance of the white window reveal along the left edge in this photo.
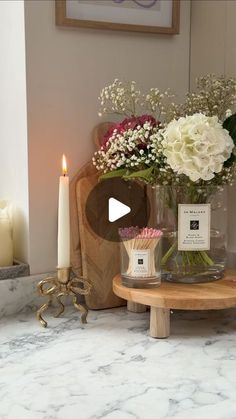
(13, 121)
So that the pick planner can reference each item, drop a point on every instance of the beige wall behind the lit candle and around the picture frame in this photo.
(66, 68)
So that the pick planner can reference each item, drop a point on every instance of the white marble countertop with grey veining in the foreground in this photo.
(111, 369)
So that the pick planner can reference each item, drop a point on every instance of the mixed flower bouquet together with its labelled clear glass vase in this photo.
(188, 151)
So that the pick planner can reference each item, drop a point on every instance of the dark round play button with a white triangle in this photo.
(116, 203)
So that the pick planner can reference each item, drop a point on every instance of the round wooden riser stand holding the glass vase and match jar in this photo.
(209, 296)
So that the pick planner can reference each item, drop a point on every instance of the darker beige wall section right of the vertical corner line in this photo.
(213, 35)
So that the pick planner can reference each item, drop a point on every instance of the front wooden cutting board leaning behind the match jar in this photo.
(100, 257)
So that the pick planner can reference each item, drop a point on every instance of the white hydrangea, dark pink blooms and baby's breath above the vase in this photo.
(137, 146)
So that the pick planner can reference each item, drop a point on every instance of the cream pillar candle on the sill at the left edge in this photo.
(6, 240)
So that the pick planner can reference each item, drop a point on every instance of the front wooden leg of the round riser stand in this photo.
(159, 322)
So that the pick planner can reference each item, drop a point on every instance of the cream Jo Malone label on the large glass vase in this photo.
(194, 222)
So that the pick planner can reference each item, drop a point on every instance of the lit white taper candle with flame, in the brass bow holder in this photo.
(64, 219)
